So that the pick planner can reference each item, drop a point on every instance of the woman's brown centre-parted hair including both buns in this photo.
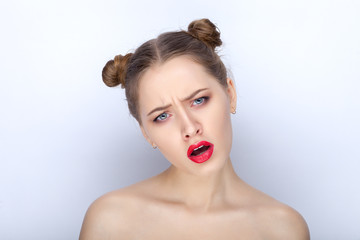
(198, 43)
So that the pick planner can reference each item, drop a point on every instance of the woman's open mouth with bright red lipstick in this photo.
(200, 152)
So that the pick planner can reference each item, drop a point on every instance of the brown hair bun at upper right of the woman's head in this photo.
(205, 31)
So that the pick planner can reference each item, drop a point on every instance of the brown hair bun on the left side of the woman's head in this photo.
(114, 72)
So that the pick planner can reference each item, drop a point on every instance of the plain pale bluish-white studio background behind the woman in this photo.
(66, 139)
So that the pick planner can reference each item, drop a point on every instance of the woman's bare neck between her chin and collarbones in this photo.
(201, 193)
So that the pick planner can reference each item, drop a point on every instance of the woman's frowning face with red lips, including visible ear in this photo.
(185, 112)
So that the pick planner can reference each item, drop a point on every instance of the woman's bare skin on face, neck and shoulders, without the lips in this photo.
(190, 200)
